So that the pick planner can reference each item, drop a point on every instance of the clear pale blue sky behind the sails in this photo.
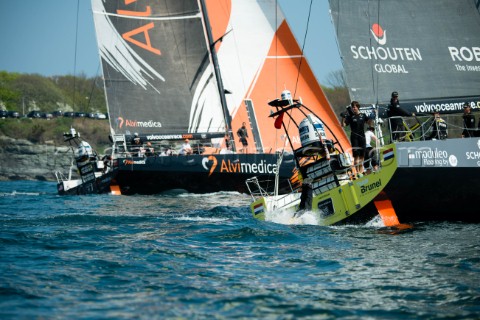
(39, 36)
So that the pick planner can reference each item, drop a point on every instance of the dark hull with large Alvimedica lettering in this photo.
(199, 173)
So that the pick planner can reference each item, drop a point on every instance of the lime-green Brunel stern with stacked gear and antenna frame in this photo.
(326, 190)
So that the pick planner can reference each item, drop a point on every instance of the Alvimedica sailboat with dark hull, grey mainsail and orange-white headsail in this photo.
(176, 70)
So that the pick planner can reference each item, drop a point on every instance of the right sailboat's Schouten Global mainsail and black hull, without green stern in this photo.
(427, 51)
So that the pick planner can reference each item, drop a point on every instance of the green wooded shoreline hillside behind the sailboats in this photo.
(27, 92)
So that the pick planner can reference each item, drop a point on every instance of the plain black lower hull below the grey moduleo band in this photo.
(435, 194)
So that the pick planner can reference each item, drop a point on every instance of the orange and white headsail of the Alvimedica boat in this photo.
(259, 57)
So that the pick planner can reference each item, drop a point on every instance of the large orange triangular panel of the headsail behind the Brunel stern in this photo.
(280, 72)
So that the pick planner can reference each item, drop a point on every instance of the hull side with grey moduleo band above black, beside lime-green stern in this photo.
(437, 181)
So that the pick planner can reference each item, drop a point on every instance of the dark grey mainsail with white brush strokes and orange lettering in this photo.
(157, 67)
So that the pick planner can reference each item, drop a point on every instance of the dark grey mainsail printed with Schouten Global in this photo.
(428, 51)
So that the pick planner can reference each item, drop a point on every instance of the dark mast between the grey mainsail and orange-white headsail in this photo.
(221, 89)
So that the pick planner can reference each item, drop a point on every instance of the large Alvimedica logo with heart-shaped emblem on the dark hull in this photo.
(227, 166)
